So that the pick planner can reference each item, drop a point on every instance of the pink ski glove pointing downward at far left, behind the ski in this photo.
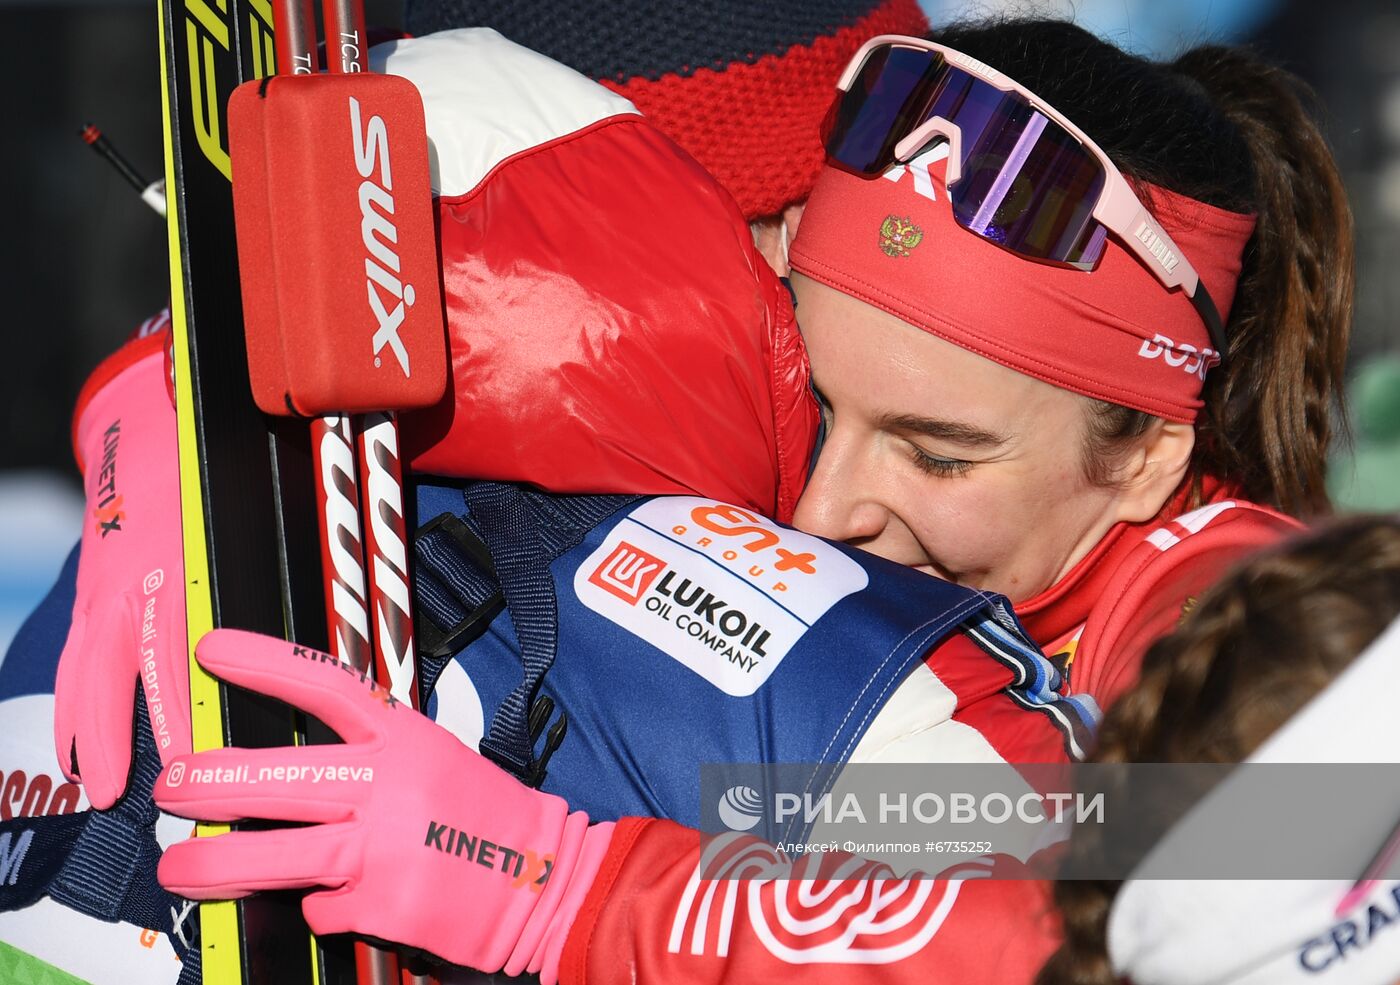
(129, 612)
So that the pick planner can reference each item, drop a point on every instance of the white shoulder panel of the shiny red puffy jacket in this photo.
(486, 99)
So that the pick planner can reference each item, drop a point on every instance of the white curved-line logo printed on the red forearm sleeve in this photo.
(863, 916)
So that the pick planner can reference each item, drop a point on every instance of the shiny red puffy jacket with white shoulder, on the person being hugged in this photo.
(612, 327)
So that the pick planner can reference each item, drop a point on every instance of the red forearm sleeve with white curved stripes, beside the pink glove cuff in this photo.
(650, 919)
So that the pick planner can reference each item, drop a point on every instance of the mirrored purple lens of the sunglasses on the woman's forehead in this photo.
(1027, 184)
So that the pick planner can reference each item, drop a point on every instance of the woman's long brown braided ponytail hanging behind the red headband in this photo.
(1268, 419)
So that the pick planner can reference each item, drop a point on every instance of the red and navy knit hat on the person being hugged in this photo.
(743, 86)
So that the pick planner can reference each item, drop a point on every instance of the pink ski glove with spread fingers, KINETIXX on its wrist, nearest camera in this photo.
(415, 837)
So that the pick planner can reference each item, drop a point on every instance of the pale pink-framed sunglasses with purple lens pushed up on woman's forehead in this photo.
(1020, 174)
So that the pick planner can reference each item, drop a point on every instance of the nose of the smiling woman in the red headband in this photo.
(839, 502)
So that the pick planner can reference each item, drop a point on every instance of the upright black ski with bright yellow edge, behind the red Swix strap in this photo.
(247, 488)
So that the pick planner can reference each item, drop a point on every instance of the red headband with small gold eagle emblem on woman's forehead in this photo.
(1114, 335)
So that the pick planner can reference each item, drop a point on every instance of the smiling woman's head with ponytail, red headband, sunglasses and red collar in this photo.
(1077, 334)
